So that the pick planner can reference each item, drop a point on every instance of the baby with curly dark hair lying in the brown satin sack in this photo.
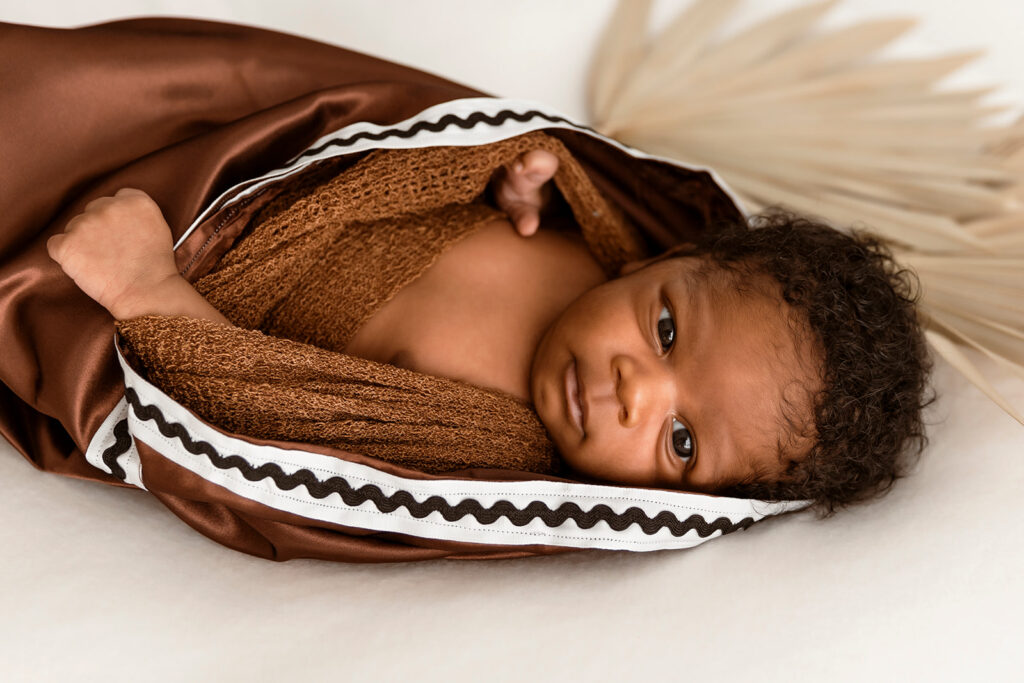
(779, 363)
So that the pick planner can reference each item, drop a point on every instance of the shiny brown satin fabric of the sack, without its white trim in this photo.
(185, 110)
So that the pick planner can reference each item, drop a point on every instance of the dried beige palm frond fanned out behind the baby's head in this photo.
(788, 116)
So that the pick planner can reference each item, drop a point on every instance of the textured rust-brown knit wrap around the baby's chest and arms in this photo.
(315, 266)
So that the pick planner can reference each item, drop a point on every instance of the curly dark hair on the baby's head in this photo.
(861, 308)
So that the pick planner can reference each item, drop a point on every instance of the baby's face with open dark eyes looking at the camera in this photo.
(680, 379)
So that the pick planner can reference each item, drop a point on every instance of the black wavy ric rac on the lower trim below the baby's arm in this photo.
(402, 499)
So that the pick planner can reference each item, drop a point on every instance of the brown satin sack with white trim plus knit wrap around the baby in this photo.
(211, 155)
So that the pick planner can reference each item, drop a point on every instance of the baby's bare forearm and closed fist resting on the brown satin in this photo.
(120, 252)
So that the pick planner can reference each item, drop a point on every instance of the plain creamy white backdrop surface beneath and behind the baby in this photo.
(99, 583)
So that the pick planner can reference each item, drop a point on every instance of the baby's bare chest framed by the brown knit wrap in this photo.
(479, 313)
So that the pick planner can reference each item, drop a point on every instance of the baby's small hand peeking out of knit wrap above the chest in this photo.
(522, 189)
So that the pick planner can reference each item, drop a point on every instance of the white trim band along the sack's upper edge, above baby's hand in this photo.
(453, 136)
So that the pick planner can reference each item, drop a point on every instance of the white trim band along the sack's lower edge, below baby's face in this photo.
(502, 532)
